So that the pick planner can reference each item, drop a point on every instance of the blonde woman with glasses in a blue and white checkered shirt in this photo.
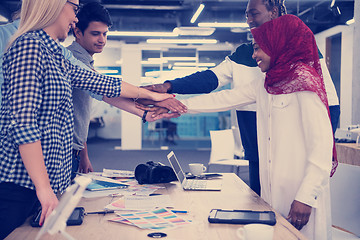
(36, 119)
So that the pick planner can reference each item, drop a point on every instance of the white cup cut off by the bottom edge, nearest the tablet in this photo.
(255, 232)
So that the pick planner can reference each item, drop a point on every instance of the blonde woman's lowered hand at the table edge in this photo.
(48, 201)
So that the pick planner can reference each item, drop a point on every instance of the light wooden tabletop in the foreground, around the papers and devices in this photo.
(235, 194)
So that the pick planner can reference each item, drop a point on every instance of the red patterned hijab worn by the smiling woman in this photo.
(294, 64)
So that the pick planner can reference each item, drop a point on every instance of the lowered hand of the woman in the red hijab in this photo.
(299, 214)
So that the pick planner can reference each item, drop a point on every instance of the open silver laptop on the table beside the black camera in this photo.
(192, 184)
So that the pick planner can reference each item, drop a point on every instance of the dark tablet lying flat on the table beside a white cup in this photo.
(241, 216)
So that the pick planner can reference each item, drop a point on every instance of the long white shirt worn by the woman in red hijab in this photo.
(295, 148)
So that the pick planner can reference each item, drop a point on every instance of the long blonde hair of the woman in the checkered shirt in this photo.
(37, 14)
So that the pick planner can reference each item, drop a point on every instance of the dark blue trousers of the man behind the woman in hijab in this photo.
(248, 134)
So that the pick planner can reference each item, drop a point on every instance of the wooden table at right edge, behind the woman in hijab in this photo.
(348, 153)
